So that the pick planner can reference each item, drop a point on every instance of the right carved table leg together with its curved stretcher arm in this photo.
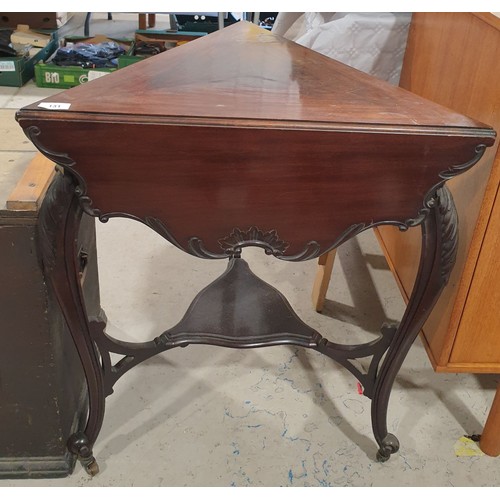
(439, 246)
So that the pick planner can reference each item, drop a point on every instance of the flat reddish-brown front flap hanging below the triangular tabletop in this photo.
(189, 178)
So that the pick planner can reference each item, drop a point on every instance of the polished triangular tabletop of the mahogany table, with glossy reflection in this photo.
(247, 73)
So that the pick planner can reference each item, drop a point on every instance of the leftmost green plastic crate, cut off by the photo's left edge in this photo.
(16, 71)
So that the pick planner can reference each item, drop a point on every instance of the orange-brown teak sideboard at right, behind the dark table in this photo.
(450, 60)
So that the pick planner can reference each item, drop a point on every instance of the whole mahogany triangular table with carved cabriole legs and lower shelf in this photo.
(268, 144)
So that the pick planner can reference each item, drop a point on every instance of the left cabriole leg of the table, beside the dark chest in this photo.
(60, 218)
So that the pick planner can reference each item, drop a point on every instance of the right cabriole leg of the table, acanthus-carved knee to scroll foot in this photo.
(439, 245)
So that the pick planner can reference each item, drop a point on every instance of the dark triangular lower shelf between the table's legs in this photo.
(240, 310)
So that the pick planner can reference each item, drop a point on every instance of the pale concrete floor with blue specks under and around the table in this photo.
(280, 416)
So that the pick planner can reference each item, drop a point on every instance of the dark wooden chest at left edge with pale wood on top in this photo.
(42, 389)
